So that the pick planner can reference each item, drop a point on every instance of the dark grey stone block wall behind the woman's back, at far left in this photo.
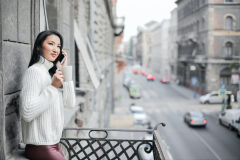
(17, 35)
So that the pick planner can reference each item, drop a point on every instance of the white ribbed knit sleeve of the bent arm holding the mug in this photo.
(35, 99)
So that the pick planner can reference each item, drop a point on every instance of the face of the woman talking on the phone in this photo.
(51, 47)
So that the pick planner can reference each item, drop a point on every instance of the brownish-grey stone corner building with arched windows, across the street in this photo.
(208, 42)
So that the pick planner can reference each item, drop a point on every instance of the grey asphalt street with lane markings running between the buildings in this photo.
(168, 103)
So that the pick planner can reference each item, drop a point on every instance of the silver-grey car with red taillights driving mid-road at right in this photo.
(195, 119)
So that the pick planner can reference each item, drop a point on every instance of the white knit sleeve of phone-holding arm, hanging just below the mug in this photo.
(69, 99)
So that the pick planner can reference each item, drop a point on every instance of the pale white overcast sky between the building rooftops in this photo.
(139, 12)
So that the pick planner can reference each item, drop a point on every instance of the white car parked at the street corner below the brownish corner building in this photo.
(212, 97)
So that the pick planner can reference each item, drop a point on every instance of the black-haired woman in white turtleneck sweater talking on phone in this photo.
(42, 101)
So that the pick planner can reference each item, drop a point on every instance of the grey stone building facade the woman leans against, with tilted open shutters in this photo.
(88, 30)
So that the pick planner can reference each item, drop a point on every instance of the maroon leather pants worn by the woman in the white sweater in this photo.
(44, 152)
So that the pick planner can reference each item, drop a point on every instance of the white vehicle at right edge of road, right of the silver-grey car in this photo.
(229, 117)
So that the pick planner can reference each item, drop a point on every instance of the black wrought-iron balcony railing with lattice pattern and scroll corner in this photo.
(104, 148)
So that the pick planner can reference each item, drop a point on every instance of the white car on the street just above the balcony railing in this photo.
(140, 117)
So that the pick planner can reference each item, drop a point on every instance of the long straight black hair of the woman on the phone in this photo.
(38, 44)
